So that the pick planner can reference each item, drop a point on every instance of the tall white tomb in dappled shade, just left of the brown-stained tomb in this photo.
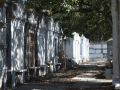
(15, 37)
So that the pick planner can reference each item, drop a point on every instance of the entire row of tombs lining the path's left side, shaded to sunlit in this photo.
(31, 45)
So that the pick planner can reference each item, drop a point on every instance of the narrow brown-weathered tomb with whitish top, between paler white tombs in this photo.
(30, 45)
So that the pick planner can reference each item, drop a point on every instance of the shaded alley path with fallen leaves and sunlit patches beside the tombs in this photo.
(87, 76)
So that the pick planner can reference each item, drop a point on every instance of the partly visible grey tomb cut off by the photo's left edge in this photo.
(3, 68)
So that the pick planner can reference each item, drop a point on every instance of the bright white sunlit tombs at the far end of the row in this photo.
(76, 48)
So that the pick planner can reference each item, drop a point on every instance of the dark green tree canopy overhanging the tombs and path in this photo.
(82, 16)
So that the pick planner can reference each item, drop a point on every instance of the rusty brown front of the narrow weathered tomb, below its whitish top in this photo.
(30, 54)
